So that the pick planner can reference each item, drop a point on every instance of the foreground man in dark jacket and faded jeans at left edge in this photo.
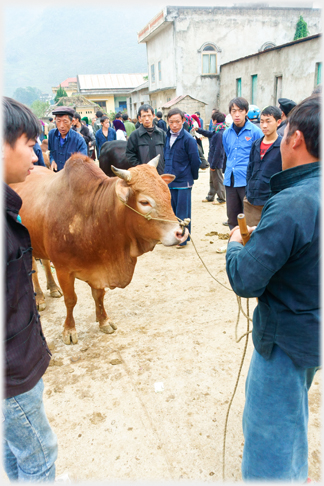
(29, 444)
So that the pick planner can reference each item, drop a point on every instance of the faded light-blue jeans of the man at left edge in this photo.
(29, 444)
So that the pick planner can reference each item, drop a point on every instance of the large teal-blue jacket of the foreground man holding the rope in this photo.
(280, 265)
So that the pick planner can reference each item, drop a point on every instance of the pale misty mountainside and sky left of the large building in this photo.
(44, 46)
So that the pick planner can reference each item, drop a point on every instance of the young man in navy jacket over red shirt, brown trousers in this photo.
(265, 160)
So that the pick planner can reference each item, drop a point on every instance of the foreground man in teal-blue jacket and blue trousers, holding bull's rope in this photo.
(280, 265)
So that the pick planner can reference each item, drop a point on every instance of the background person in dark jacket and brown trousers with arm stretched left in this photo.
(216, 158)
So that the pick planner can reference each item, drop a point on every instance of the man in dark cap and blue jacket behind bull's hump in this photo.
(64, 141)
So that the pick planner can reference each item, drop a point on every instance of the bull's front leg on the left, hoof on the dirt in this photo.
(66, 282)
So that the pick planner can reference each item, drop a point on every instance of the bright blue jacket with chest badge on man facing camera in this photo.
(237, 149)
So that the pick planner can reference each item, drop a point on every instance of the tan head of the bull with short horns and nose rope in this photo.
(151, 197)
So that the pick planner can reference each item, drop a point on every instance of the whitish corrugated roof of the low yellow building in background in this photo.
(110, 81)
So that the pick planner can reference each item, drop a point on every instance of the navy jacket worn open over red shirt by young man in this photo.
(259, 171)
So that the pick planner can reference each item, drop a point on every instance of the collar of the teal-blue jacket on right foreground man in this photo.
(289, 177)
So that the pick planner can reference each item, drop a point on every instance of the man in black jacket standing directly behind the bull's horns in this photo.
(147, 141)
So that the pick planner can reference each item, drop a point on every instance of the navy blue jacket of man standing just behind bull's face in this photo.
(182, 159)
